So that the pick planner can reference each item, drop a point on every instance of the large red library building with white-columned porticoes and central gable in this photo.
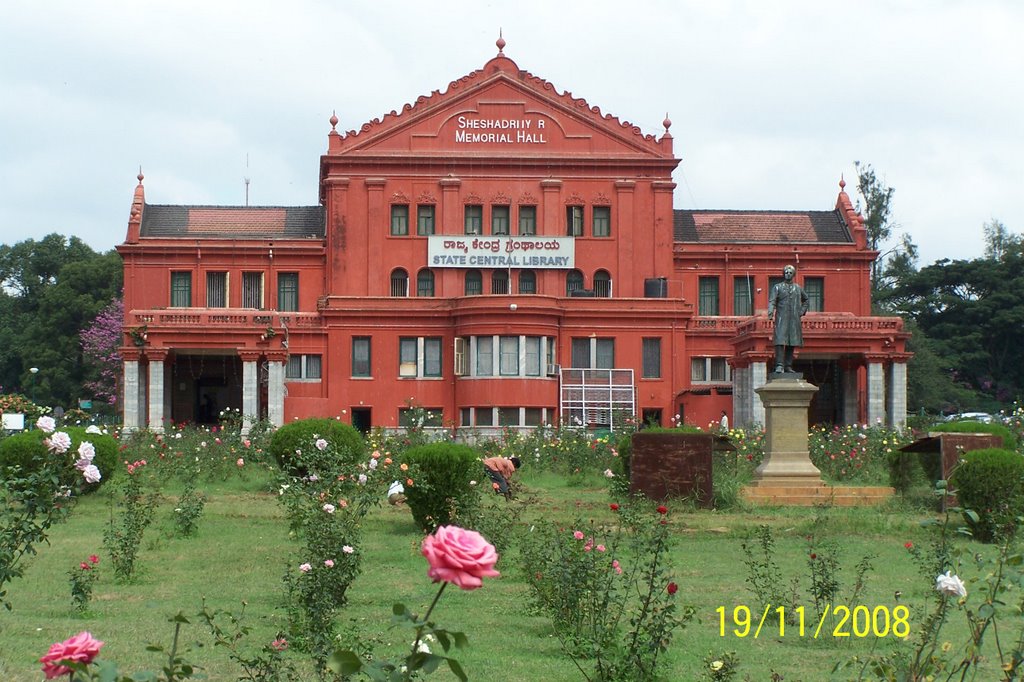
(501, 254)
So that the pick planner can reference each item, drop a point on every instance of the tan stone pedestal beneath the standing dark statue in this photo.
(787, 399)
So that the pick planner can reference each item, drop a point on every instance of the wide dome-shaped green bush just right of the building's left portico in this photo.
(347, 445)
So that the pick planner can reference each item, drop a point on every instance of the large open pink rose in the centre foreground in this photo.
(459, 557)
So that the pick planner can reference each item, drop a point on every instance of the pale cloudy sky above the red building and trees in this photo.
(772, 103)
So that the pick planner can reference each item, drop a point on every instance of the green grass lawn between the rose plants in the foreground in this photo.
(241, 550)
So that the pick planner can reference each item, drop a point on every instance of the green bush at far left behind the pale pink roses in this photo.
(28, 452)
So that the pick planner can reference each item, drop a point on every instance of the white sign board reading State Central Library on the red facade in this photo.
(502, 252)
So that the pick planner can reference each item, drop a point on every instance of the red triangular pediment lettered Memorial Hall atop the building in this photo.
(501, 110)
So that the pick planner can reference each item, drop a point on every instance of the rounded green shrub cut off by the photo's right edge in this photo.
(991, 483)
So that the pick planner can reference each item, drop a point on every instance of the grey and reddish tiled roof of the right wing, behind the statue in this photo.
(761, 227)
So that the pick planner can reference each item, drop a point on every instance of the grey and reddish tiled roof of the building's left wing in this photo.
(234, 222)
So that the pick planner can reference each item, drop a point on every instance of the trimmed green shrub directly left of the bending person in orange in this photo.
(442, 490)
